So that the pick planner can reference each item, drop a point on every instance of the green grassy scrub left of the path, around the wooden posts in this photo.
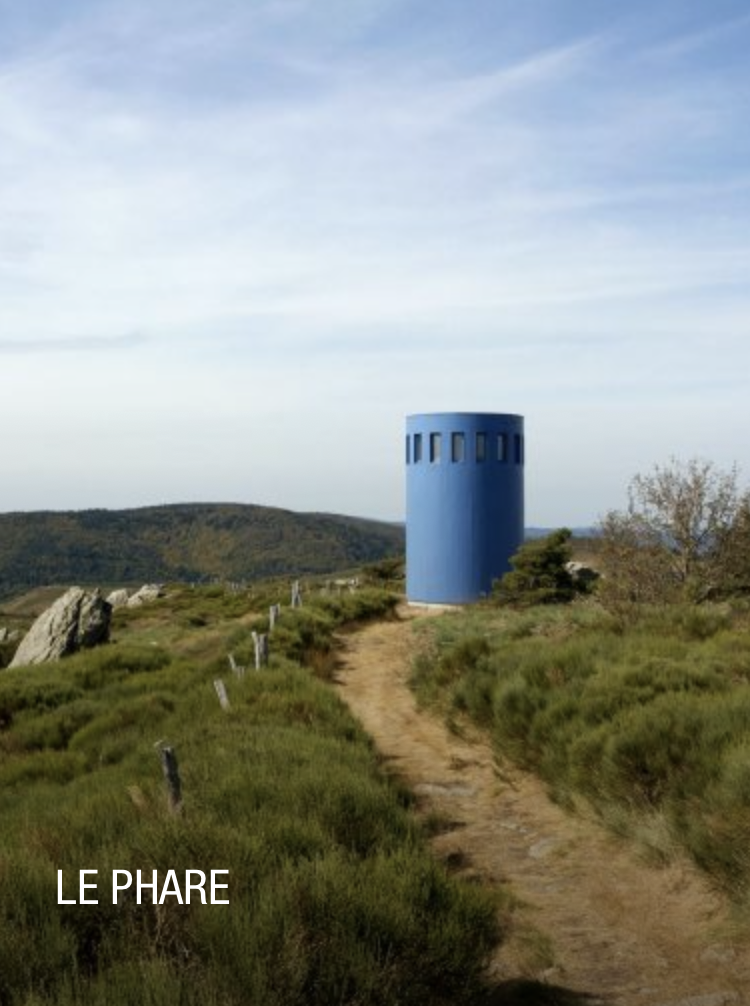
(334, 898)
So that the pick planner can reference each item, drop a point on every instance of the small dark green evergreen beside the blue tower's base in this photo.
(540, 575)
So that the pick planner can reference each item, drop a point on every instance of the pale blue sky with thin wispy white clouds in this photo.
(241, 241)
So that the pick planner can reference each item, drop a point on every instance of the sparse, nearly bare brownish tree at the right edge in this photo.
(681, 538)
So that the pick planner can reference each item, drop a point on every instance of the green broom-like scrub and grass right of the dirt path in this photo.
(650, 725)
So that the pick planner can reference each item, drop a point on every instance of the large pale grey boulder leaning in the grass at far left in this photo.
(78, 620)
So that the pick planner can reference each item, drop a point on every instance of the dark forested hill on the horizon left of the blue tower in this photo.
(195, 542)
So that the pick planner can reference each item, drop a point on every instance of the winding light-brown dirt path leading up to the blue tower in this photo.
(593, 918)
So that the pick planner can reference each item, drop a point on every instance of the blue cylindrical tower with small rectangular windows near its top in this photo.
(465, 504)
